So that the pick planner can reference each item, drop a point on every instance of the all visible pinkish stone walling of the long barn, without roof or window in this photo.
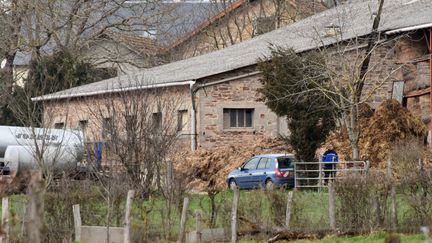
(390, 62)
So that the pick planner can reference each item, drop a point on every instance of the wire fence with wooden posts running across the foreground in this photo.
(355, 204)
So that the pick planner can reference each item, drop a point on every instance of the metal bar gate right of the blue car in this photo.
(318, 174)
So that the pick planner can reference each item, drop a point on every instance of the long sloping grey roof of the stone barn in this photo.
(355, 20)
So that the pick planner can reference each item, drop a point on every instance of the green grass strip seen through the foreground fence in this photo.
(310, 212)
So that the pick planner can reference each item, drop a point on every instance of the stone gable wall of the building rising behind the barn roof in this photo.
(241, 24)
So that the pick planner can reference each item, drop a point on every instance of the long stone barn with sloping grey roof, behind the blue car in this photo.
(217, 93)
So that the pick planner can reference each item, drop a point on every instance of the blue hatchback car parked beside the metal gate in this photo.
(264, 171)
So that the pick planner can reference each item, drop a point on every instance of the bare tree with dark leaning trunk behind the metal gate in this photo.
(351, 73)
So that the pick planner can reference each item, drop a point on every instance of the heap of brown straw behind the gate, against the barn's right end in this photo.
(380, 130)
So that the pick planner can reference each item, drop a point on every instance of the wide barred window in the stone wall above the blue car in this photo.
(238, 118)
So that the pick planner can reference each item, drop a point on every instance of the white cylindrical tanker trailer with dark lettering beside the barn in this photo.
(62, 149)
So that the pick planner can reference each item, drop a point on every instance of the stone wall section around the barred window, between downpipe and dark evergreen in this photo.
(240, 93)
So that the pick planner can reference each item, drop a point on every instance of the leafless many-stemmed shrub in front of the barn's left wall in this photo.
(138, 130)
